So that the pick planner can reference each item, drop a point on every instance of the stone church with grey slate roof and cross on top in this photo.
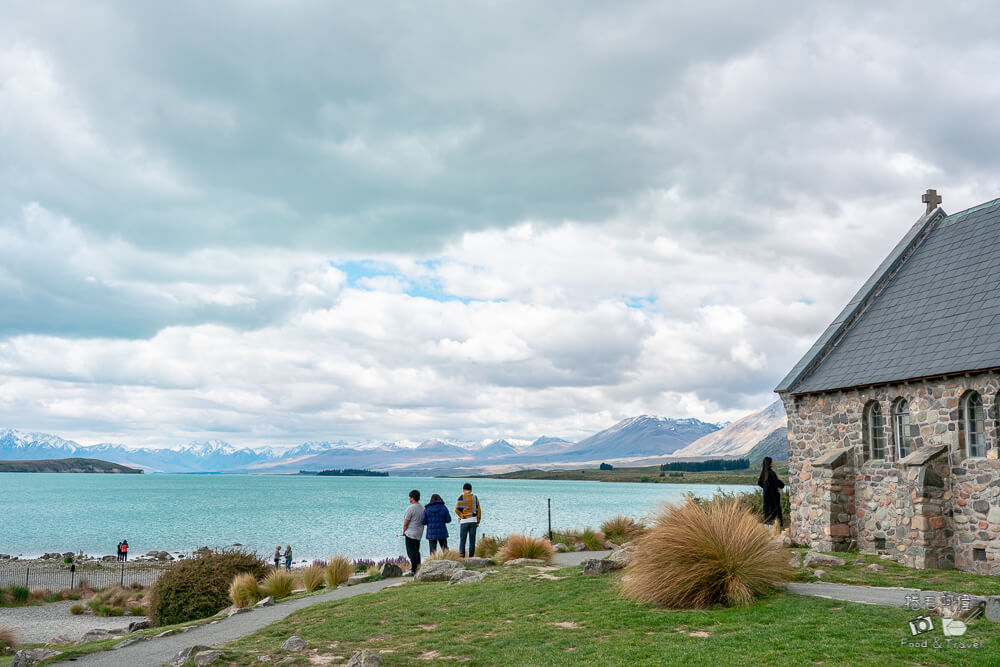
(893, 423)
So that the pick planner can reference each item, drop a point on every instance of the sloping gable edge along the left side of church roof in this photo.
(862, 299)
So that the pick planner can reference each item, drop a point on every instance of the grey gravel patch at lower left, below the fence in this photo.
(40, 623)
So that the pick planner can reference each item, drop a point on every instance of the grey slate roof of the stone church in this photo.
(931, 308)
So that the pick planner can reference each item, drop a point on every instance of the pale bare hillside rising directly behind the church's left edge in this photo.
(764, 433)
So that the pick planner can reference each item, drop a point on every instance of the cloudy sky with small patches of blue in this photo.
(277, 222)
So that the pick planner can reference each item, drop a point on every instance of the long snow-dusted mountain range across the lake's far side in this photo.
(636, 440)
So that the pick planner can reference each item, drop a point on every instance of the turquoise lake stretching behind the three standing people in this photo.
(360, 517)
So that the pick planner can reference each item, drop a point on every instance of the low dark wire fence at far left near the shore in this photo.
(36, 577)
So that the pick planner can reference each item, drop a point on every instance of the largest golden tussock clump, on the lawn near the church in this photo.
(695, 556)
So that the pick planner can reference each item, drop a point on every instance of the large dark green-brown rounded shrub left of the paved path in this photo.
(199, 587)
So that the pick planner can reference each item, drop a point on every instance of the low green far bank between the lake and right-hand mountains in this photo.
(648, 474)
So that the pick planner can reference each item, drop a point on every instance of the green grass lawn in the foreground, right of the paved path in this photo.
(512, 618)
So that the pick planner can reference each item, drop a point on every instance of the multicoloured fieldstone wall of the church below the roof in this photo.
(897, 501)
